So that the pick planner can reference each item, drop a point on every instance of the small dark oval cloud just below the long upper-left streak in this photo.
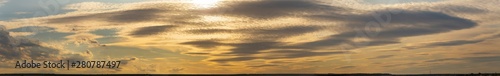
(151, 30)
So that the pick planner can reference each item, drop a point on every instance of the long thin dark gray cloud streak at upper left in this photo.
(127, 16)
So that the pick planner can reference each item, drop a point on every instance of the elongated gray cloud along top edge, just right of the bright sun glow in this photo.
(268, 9)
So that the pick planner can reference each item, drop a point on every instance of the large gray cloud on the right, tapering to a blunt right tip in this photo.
(404, 24)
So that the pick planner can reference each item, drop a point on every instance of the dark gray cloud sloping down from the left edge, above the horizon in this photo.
(21, 48)
